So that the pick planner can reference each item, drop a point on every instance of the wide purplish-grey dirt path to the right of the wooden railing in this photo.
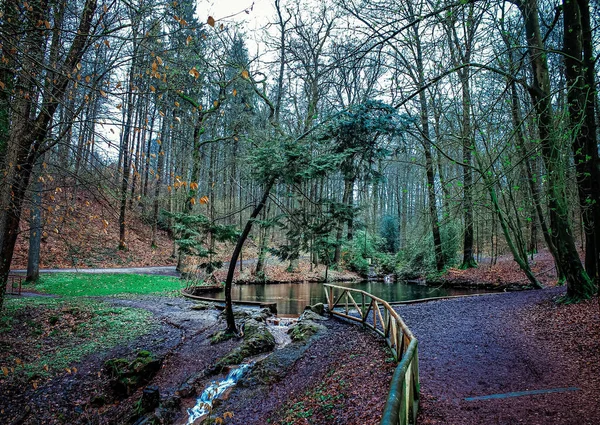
(482, 346)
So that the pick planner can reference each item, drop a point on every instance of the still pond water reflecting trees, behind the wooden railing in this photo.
(291, 298)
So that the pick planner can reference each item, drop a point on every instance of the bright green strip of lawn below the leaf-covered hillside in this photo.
(98, 285)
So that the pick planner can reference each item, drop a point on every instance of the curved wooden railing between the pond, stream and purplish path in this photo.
(402, 404)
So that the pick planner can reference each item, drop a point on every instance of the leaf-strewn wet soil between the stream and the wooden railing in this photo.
(340, 377)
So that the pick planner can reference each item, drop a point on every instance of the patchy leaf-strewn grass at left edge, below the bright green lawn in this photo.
(42, 337)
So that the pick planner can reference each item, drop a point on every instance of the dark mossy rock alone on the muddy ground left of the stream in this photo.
(126, 377)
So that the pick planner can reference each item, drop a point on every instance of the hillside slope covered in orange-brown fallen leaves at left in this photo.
(84, 232)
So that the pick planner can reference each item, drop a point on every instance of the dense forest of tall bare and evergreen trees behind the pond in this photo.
(436, 132)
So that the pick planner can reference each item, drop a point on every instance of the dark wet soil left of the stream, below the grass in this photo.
(180, 337)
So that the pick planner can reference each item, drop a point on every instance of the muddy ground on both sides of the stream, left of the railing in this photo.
(329, 376)
